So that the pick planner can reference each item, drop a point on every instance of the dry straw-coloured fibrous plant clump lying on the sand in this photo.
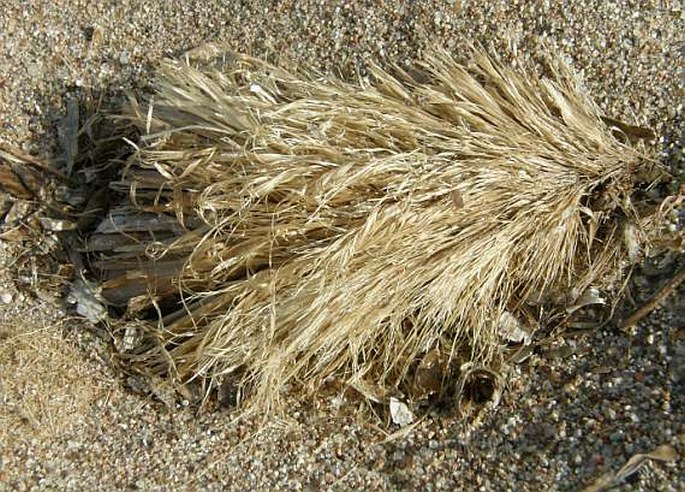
(398, 235)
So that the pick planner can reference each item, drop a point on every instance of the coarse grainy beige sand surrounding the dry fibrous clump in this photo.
(573, 412)
